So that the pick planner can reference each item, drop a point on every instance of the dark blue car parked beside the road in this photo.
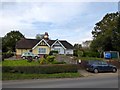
(100, 66)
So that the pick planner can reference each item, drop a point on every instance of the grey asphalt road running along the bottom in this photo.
(98, 81)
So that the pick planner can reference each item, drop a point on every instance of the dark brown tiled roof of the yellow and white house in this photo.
(30, 43)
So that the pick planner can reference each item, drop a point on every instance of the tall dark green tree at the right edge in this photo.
(106, 33)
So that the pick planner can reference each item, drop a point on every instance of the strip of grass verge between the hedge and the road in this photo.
(17, 76)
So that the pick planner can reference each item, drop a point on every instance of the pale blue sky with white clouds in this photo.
(71, 21)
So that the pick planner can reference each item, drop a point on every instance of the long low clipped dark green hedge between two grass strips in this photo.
(43, 69)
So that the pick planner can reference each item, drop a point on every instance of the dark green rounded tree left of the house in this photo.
(9, 41)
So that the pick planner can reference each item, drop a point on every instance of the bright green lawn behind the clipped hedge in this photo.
(19, 63)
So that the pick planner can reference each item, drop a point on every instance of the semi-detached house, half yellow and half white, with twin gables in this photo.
(43, 46)
